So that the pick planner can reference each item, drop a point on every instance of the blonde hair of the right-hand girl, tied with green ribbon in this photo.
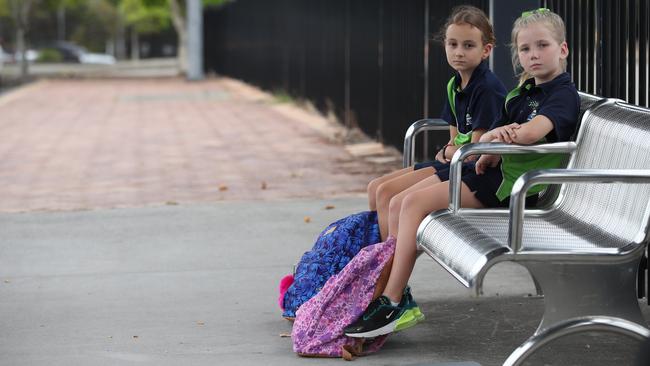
(554, 24)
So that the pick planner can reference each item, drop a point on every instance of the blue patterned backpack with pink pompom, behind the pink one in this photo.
(334, 248)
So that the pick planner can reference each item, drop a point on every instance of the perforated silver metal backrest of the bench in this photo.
(613, 135)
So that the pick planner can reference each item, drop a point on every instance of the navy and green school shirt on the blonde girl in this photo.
(557, 100)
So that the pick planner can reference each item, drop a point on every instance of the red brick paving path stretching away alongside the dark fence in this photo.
(83, 144)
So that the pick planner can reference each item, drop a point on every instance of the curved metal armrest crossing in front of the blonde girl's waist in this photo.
(494, 148)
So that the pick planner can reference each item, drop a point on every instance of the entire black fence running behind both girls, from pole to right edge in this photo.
(373, 63)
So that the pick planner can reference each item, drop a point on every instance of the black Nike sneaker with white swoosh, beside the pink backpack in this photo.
(379, 318)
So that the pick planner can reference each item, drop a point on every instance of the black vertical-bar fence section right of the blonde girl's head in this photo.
(608, 42)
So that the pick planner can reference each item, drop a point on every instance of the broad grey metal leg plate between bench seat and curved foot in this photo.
(578, 290)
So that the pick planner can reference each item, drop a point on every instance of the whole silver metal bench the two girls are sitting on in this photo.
(583, 250)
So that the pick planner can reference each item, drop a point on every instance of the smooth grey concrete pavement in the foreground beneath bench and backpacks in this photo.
(196, 284)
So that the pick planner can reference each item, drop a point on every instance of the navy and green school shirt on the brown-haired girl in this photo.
(476, 106)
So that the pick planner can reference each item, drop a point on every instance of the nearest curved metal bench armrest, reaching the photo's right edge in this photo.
(558, 176)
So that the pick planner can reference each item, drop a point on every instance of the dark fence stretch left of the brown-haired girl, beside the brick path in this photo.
(372, 63)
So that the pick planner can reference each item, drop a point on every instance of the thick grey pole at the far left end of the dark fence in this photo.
(194, 40)
